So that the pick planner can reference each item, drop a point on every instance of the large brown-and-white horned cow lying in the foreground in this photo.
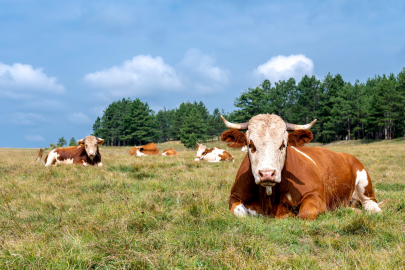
(281, 177)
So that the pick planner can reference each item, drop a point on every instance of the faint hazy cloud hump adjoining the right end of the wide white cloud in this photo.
(198, 72)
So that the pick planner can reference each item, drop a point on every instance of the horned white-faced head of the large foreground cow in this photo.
(266, 138)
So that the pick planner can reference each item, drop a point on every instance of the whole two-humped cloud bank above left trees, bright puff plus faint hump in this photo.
(144, 75)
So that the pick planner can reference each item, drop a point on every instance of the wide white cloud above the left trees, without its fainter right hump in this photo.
(139, 76)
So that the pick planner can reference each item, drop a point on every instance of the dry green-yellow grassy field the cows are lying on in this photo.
(172, 213)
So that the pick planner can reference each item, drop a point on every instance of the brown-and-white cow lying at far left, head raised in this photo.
(87, 153)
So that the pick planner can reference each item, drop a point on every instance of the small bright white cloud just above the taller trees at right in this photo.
(284, 67)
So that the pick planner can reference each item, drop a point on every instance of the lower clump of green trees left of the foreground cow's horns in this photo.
(132, 122)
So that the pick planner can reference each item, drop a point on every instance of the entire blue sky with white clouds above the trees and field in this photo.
(63, 62)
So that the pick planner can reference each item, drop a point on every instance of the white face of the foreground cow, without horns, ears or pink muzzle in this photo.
(268, 134)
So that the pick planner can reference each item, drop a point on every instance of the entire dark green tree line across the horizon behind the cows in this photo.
(370, 110)
